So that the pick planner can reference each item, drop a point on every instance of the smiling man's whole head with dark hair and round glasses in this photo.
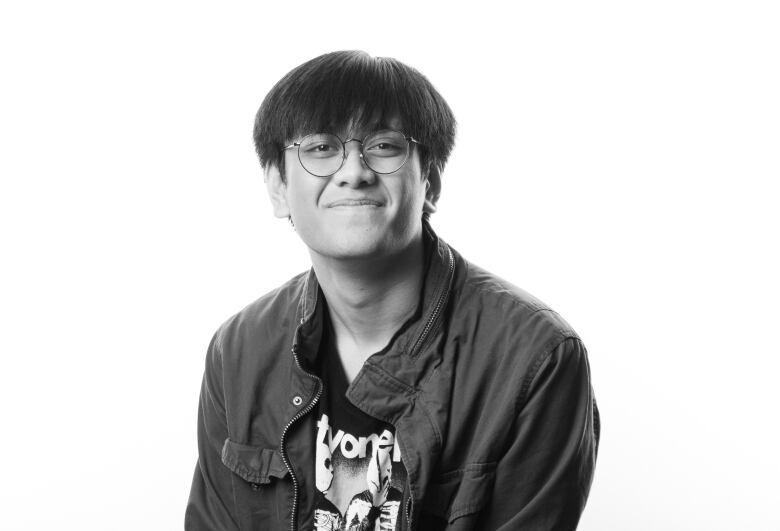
(352, 95)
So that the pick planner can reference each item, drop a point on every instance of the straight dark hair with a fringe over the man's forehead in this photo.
(334, 89)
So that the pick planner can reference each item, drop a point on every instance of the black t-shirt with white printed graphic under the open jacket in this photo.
(359, 473)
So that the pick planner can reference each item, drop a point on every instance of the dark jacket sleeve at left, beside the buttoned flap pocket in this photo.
(211, 506)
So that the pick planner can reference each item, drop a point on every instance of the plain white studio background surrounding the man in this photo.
(617, 159)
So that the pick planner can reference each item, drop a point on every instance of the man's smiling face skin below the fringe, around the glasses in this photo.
(354, 213)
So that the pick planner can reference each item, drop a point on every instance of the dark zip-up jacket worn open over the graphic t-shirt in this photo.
(488, 389)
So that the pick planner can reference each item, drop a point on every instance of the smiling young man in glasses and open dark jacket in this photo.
(395, 385)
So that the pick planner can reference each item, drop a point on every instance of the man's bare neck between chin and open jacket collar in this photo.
(369, 300)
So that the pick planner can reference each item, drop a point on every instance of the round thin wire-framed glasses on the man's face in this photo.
(383, 152)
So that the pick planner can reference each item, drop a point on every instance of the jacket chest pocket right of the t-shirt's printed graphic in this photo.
(460, 492)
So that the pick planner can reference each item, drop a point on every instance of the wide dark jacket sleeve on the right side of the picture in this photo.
(543, 479)
